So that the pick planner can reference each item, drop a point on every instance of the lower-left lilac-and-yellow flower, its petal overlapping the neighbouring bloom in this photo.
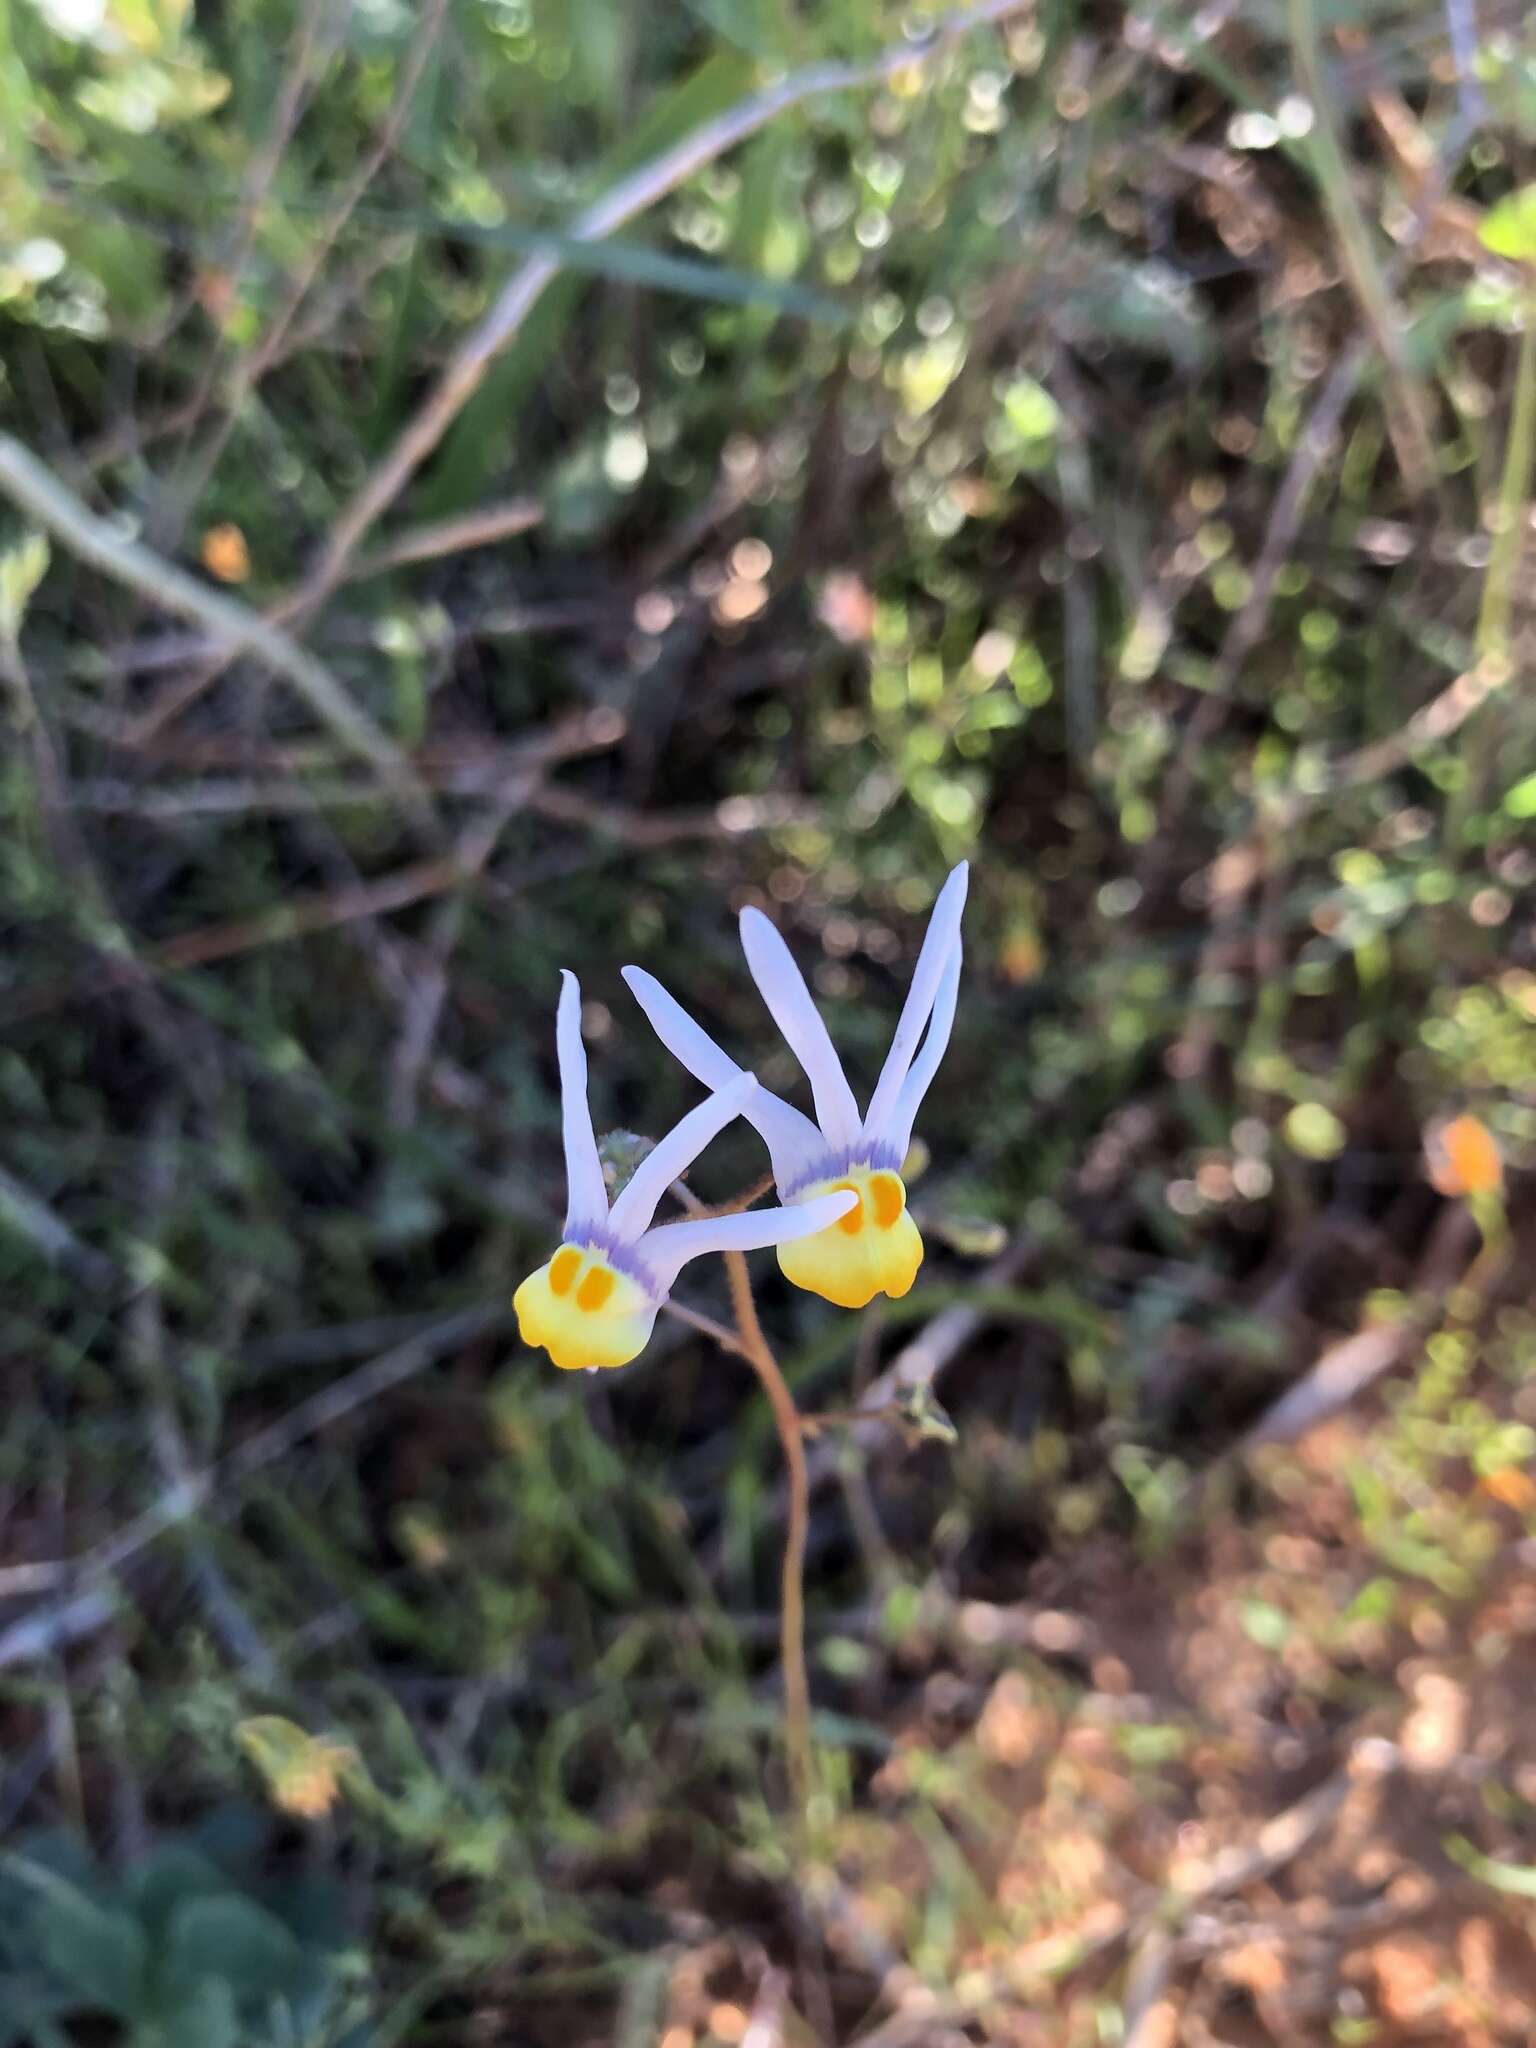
(597, 1299)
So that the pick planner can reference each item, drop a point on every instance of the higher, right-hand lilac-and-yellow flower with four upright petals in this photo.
(876, 1246)
